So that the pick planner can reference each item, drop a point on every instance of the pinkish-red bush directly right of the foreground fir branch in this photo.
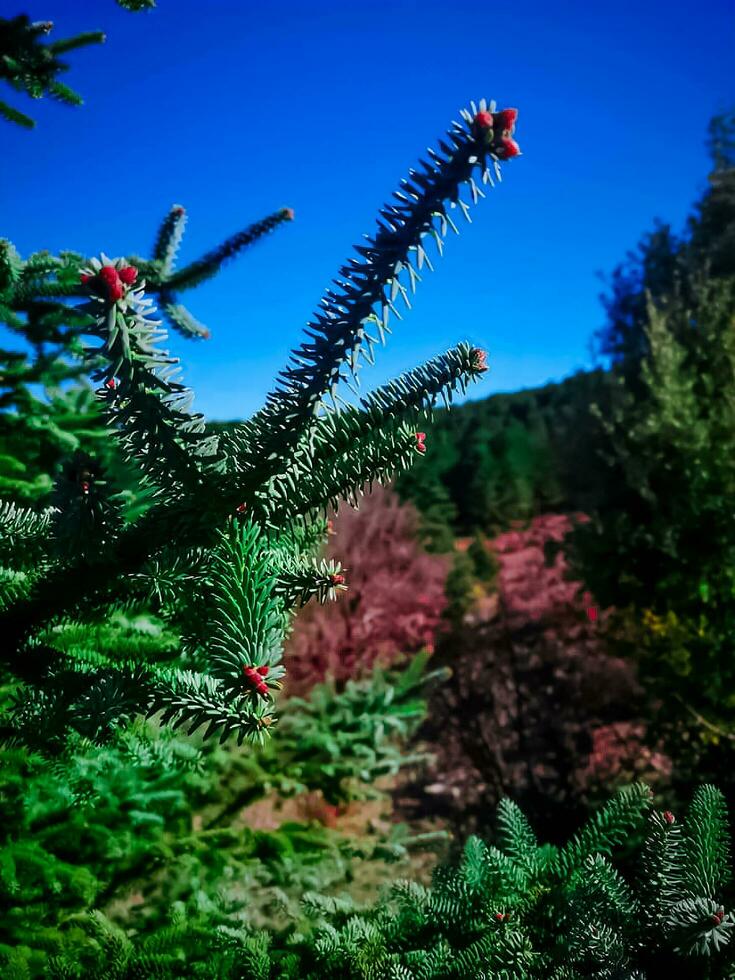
(393, 604)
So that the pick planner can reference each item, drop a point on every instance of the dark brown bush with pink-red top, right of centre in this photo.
(534, 699)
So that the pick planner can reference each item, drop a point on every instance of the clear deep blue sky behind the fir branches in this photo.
(235, 109)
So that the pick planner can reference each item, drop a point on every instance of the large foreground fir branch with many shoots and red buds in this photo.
(235, 520)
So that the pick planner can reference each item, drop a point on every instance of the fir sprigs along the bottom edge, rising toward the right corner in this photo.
(515, 909)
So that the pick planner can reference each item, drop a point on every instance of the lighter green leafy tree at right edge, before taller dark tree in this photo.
(666, 514)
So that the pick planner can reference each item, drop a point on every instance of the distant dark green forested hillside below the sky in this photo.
(511, 456)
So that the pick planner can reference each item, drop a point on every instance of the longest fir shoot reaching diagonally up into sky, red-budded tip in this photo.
(366, 292)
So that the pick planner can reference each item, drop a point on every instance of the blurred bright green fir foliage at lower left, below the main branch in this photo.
(157, 815)
